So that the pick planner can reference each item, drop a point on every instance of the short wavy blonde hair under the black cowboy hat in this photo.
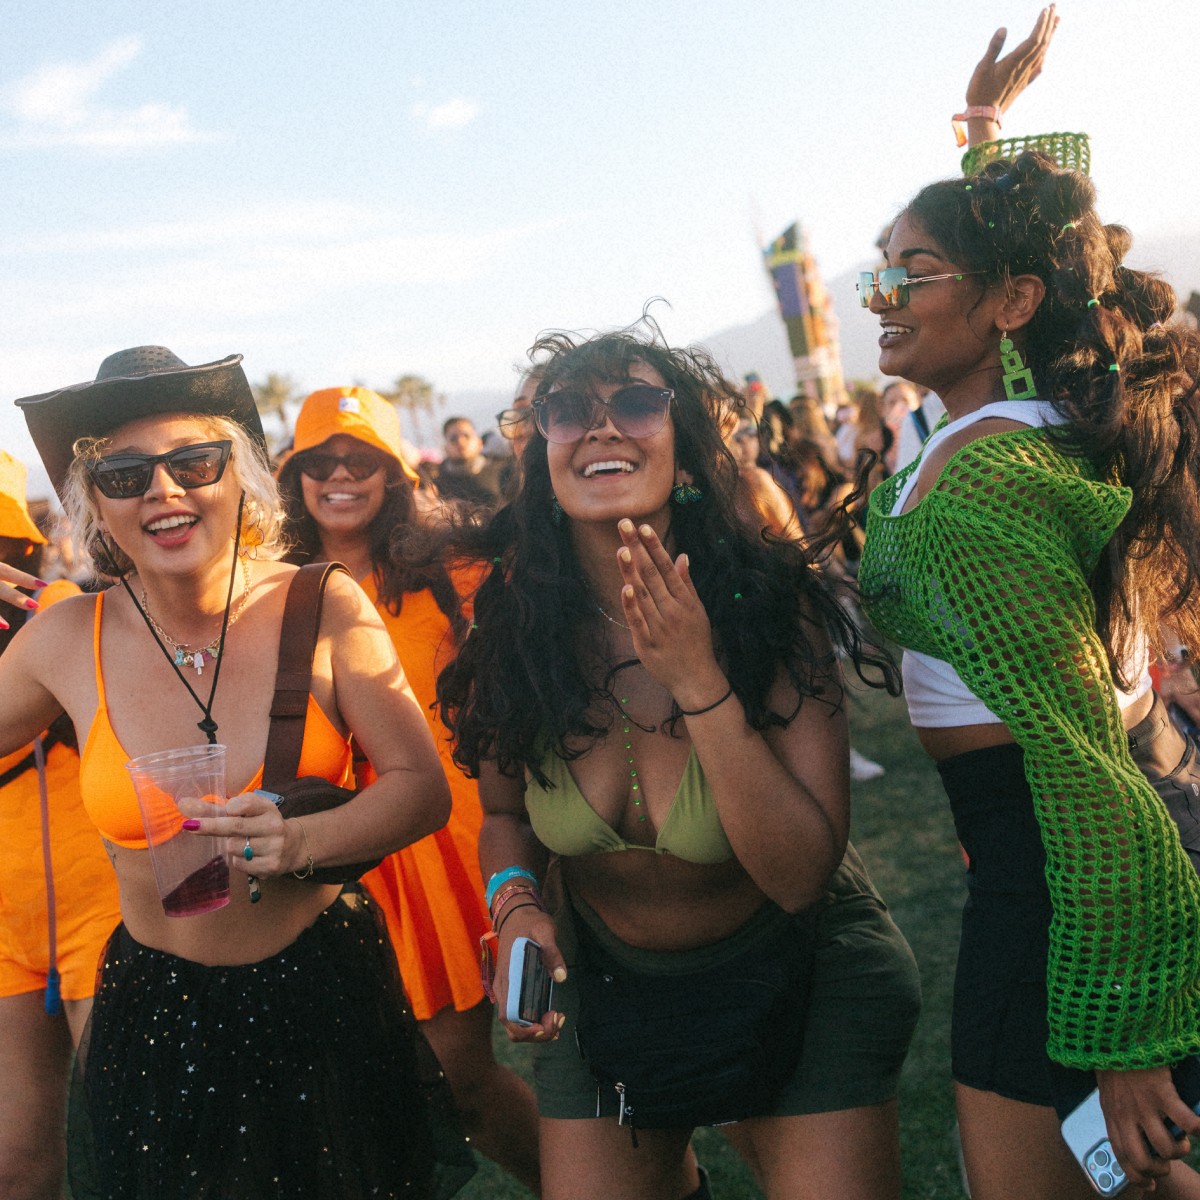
(262, 519)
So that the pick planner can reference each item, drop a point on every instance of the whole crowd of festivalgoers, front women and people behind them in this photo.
(571, 709)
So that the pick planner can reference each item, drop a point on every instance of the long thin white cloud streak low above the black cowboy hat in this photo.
(251, 265)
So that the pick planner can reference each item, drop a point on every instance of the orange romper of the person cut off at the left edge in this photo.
(86, 903)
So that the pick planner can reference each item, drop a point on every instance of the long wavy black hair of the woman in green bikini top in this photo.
(533, 675)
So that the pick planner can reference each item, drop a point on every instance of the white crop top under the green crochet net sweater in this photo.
(935, 693)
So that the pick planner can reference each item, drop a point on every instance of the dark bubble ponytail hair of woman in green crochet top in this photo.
(1103, 353)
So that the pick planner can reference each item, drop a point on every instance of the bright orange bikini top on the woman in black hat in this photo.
(109, 795)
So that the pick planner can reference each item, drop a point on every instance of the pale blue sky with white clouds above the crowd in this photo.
(357, 191)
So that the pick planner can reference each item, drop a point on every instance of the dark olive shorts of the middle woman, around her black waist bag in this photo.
(862, 1006)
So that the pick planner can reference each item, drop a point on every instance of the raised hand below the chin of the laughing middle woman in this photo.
(667, 619)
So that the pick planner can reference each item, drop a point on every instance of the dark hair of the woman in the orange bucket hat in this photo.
(395, 577)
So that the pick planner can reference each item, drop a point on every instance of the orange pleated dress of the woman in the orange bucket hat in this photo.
(431, 892)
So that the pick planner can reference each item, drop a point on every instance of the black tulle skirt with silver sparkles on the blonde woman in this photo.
(299, 1077)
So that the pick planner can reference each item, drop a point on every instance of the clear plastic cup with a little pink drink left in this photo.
(190, 869)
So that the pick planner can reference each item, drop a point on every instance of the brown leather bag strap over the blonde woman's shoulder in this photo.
(293, 677)
